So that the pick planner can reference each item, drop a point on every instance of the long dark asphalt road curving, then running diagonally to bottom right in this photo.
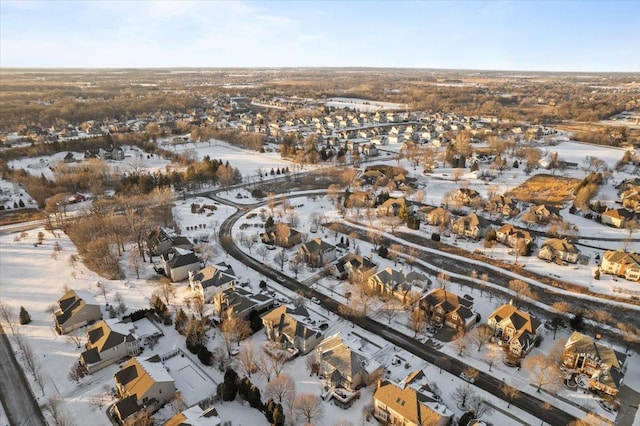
(524, 401)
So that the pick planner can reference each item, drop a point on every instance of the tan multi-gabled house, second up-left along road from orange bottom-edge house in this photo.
(292, 329)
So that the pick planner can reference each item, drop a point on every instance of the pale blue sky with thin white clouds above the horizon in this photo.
(504, 35)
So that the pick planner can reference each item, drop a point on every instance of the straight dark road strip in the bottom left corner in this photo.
(16, 396)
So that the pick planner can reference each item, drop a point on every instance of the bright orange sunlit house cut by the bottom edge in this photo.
(410, 403)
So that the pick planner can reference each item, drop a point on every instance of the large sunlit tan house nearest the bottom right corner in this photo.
(602, 364)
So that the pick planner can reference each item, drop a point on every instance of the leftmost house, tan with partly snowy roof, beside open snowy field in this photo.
(76, 308)
